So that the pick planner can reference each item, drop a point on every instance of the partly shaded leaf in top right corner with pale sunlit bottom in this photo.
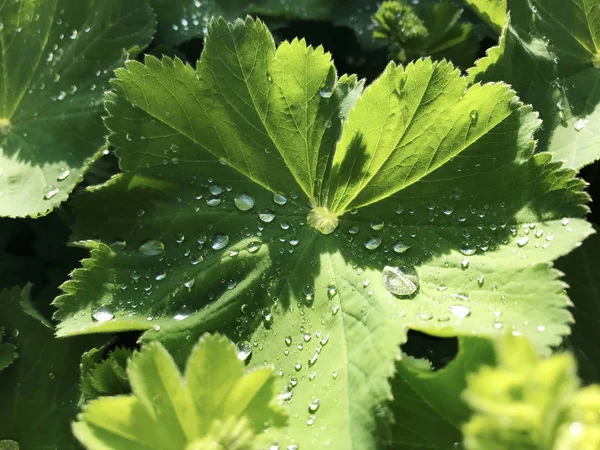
(549, 54)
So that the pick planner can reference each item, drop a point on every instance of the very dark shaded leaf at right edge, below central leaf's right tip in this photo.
(581, 268)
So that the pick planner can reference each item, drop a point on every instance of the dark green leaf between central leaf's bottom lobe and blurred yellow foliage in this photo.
(428, 410)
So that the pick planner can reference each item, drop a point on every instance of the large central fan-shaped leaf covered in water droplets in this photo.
(262, 196)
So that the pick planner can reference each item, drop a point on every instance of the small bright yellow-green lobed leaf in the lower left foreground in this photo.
(214, 402)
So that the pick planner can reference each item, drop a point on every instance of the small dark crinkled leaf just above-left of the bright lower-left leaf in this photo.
(104, 376)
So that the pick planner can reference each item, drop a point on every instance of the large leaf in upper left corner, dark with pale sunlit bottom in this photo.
(56, 59)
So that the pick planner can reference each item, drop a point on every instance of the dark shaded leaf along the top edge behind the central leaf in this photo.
(181, 20)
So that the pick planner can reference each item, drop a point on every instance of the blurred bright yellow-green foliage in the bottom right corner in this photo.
(531, 403)
